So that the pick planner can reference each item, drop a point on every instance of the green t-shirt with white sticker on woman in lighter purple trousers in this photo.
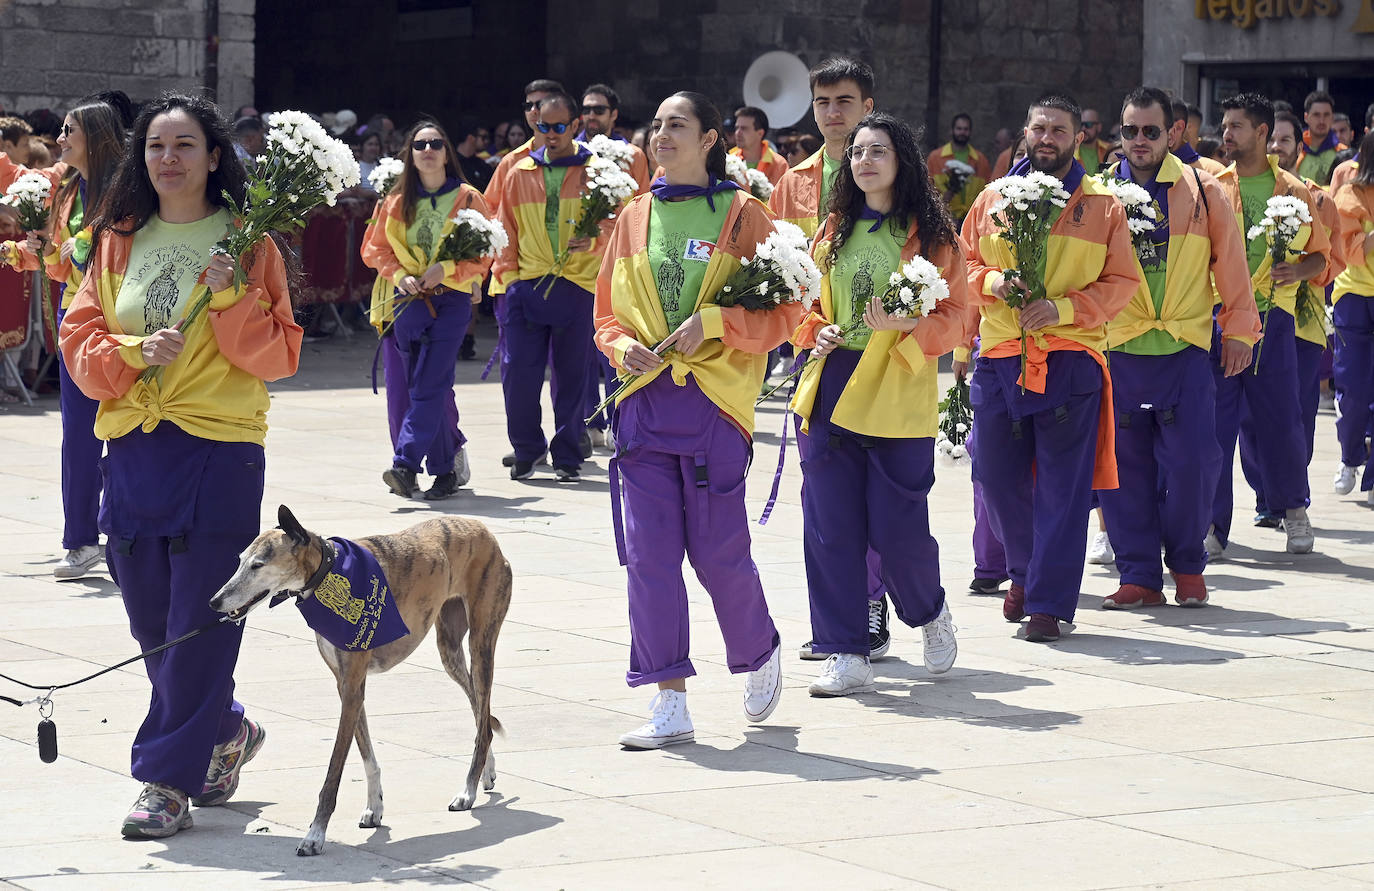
(682, 240)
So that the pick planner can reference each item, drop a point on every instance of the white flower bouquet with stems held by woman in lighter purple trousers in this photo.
(780, 273)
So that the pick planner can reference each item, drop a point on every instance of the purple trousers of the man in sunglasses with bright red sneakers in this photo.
(1167, 464)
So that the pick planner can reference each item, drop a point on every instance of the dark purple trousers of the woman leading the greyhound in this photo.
(178, 511)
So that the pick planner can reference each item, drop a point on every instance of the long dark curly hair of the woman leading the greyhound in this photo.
(131, 195)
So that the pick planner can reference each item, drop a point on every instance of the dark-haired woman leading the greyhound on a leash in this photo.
(183, 478)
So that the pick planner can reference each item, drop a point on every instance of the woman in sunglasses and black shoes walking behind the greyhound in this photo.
(424, 327)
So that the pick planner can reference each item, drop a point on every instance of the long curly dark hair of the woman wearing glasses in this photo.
(914, 196)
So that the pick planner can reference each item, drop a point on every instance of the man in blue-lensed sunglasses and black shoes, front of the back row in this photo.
(546, 314)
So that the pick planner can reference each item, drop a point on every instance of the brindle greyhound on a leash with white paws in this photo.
(449, 574)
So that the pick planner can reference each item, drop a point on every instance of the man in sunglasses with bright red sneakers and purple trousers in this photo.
(1163, 390)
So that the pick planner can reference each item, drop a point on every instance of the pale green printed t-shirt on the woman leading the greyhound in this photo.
(166, 261)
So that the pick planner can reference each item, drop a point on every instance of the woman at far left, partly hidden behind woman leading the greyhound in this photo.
(91, 144)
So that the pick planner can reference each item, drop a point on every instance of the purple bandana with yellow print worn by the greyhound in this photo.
(354, 608)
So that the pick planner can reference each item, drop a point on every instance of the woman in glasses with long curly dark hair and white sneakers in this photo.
(892, 302)
